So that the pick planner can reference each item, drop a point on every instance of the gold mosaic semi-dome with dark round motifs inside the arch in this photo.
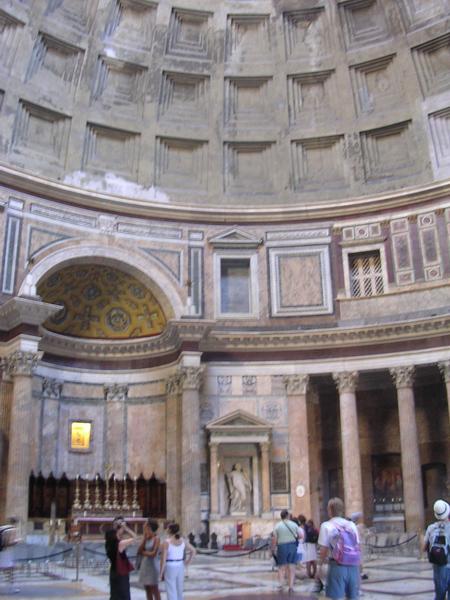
(101, 303)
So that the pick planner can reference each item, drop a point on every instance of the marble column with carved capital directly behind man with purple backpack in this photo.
(351, 458)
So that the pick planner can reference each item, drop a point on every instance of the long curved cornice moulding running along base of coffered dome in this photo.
(54, 190)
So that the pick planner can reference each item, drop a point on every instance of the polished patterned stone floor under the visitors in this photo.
(211, 578)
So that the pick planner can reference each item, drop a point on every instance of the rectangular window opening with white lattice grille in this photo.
(366, 274)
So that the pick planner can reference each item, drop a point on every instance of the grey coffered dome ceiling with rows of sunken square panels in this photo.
(217, 102)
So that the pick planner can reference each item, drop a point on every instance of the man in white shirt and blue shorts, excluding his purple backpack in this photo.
(342, 580)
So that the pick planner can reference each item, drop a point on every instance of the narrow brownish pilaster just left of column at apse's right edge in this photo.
(173, 446)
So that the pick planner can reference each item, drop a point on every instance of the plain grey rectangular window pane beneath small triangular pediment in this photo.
(235, 286)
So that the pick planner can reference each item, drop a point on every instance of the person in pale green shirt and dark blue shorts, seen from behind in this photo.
(285, 537)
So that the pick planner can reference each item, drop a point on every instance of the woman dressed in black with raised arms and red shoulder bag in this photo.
(117, 541)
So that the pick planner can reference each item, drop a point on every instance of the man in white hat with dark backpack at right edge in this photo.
(437, 544)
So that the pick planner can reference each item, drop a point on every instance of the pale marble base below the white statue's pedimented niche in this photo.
(226, 527)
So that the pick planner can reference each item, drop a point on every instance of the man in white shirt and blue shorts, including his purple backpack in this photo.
(339, 543)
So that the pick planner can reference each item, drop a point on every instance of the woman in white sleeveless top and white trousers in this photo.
(176, 552)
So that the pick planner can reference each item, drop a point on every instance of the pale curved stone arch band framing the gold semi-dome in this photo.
(141, 266)
